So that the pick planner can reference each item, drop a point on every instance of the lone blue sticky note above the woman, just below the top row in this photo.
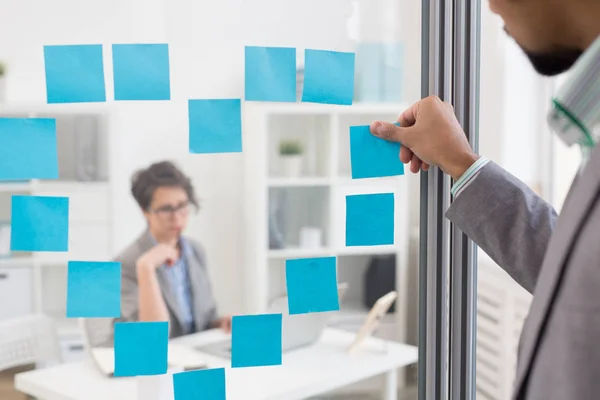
(215, 126)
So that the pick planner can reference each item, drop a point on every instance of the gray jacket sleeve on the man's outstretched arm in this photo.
(507, 220)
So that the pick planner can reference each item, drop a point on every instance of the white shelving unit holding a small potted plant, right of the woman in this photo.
(314, 199)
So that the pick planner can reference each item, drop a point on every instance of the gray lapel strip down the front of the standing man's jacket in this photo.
(576, 207)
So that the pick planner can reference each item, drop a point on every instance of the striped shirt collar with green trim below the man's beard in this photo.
(576, 107)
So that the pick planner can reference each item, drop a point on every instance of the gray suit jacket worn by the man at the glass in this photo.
(555, 258)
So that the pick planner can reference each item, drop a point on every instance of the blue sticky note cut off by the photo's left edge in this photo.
(28, 149)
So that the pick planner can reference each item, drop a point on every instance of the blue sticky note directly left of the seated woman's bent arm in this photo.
(93, 289)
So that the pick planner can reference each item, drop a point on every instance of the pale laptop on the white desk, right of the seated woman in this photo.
(298, 330)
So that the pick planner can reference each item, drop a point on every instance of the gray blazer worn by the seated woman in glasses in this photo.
(204, 306)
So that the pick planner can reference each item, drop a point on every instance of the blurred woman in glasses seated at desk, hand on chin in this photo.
(164, 273)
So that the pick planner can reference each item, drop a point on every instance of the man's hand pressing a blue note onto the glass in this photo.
(430, 135)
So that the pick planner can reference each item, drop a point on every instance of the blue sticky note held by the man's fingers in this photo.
(371, 156)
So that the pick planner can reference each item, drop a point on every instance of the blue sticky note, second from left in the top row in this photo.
(141, 71)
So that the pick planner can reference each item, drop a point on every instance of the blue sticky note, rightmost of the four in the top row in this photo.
(328, 77)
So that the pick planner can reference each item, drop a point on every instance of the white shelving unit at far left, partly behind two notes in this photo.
(36, 282)
